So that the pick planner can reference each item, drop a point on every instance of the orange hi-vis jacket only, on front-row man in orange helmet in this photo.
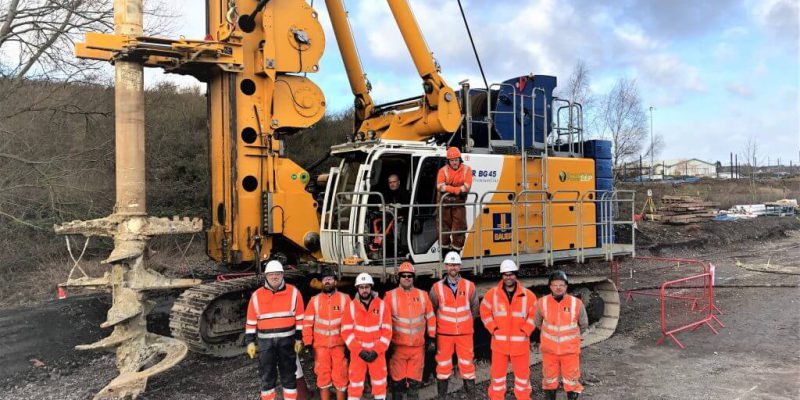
(411, 311)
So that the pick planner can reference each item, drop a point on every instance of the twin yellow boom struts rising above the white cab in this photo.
(437, 111)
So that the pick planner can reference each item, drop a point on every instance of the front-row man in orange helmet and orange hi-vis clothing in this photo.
(412, 315)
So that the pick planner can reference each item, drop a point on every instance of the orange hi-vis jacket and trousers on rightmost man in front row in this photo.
(561, 324)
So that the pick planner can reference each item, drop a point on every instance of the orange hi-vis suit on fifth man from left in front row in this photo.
(454, 318)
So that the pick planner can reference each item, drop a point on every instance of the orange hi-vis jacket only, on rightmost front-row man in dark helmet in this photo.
(560, 332)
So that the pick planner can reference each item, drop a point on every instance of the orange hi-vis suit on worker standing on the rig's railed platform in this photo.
(456, 182)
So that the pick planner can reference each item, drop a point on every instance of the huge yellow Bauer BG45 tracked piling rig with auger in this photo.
(540, 193)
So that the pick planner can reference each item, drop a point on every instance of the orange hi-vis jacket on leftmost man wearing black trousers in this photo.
(274, 313)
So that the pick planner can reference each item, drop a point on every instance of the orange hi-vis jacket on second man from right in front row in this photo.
(511, 324)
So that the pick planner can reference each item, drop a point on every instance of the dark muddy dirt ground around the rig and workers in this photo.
(756, 356)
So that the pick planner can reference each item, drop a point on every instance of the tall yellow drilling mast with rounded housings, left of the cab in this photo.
(257, 92)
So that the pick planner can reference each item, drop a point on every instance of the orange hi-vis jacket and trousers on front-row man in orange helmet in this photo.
(412, 314)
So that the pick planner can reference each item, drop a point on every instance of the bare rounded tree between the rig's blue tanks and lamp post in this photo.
(624, 120)
